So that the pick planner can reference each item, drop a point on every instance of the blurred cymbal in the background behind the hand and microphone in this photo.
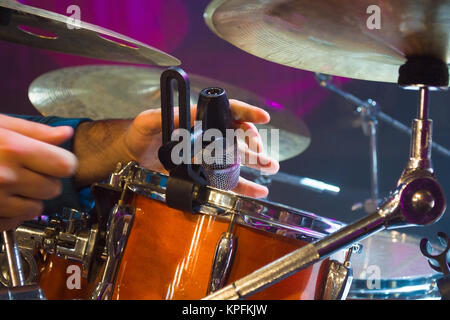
(105, 92)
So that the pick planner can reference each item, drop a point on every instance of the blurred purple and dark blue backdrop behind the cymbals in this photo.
(339, 151)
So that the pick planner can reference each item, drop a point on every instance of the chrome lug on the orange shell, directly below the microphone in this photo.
(223, 259)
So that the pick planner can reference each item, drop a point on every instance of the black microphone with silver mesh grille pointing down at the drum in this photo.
(219, 157)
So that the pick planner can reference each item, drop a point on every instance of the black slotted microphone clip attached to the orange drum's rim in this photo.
(185, 176)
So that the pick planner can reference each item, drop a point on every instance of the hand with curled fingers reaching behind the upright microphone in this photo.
(143, 139)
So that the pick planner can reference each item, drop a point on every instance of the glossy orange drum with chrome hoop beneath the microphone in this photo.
(169, 254)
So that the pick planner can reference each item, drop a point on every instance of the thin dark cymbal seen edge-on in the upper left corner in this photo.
(47, 30)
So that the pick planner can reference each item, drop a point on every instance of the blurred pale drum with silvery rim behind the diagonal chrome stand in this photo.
(391, 266)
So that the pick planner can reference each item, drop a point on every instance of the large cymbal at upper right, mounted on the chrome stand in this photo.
(333, 36)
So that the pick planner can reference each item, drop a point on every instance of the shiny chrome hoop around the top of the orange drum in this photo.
(255, 213)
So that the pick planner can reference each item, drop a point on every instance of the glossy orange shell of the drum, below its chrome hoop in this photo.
(169, 256)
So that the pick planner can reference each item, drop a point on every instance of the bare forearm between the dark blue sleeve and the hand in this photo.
(99, 146)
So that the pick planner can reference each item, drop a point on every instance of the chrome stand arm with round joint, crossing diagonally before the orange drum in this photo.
(418, 200)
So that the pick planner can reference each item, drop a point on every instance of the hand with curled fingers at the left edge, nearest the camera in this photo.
(30, 165)
